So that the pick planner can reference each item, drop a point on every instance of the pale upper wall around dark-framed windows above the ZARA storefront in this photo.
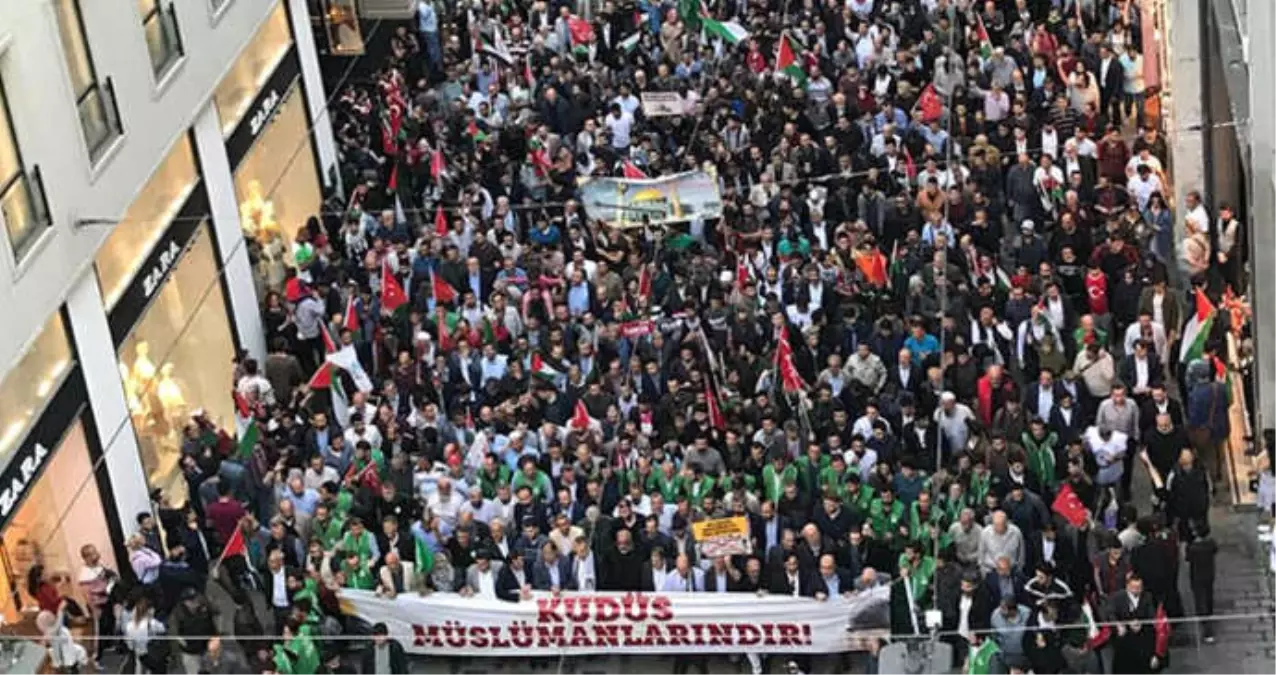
(47, 126)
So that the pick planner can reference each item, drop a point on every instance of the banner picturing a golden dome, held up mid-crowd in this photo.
(668, 200)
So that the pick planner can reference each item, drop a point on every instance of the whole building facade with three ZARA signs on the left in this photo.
(158, 160)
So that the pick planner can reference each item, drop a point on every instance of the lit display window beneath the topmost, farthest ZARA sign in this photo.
(278, 187)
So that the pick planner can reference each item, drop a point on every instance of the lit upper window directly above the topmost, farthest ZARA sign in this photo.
(234, 96)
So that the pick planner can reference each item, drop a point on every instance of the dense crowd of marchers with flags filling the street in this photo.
(946, 325)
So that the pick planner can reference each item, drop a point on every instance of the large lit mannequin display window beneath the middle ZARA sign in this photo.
(177, 362)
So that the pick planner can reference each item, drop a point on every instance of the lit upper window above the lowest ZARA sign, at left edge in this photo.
(29, 386)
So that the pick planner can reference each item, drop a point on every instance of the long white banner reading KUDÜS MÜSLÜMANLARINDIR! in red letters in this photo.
(575, 625)
